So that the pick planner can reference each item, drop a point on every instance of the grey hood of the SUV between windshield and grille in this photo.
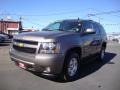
(42, 35)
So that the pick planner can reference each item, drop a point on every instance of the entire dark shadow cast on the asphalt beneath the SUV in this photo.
(85, 69)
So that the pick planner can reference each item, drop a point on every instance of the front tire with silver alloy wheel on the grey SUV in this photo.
(71, 67)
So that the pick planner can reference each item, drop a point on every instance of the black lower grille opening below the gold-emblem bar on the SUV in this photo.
(25, 49)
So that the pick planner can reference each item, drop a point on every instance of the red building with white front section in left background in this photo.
(10, 27)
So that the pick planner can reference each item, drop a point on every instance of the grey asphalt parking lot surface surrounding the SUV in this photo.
(93, 76)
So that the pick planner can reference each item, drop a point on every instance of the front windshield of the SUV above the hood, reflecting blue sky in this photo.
(63, 26)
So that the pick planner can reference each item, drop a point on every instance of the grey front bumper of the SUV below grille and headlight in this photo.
(44, 63)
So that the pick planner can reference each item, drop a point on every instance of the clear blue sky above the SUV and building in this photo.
(39, 13)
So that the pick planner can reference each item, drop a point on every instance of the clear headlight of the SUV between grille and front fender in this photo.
(48, 48)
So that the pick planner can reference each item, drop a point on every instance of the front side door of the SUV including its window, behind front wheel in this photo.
(87, 40)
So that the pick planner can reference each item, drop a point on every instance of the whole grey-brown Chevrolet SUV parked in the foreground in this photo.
(60, 47)
